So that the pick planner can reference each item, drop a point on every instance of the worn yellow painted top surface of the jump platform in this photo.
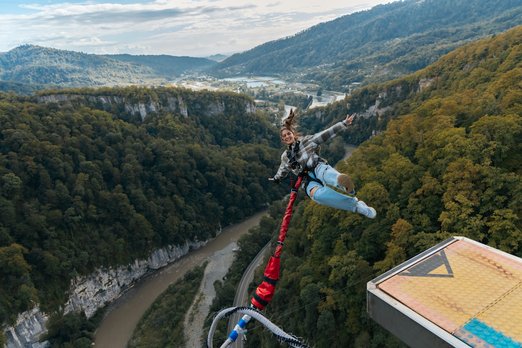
(479, 283)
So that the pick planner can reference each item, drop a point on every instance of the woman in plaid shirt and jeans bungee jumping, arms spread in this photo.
(301, 158)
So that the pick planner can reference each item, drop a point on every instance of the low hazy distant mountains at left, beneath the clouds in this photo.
(35, 65)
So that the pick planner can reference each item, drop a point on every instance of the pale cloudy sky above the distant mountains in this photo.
(196, 28)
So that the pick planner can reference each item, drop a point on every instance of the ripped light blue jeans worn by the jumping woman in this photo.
(324, 195)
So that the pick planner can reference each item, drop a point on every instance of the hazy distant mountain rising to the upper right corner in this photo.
(382, 43)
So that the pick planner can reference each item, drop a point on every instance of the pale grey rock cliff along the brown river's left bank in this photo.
(89, 293)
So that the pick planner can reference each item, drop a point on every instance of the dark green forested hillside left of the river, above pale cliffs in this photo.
(83, 188)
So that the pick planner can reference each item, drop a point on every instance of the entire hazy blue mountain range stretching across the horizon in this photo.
(382, 43)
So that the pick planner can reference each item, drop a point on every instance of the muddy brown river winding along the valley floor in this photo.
(123, 315)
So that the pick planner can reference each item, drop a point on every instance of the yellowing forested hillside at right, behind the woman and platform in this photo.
(449, 163)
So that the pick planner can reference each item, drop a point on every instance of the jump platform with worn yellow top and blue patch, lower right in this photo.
(460, 293)
